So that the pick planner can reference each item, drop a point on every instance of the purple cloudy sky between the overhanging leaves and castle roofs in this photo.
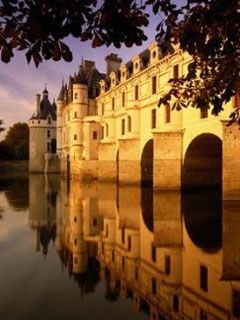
(19, 82)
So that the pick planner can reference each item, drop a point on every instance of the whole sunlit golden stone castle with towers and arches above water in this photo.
(109, 127)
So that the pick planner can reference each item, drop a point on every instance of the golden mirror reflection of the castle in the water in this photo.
(177, 256)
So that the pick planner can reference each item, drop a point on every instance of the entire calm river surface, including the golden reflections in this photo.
(98, 251)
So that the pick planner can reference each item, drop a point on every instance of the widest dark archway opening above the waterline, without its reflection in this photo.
(202, 166)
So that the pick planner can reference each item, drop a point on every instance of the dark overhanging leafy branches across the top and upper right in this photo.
(209, 30)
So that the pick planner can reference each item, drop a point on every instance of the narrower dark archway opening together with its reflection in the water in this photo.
(147, 184)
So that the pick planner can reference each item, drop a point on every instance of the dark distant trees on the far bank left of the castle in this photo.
(16, 143)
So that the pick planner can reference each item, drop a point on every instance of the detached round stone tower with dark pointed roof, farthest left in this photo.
(42, 131)
